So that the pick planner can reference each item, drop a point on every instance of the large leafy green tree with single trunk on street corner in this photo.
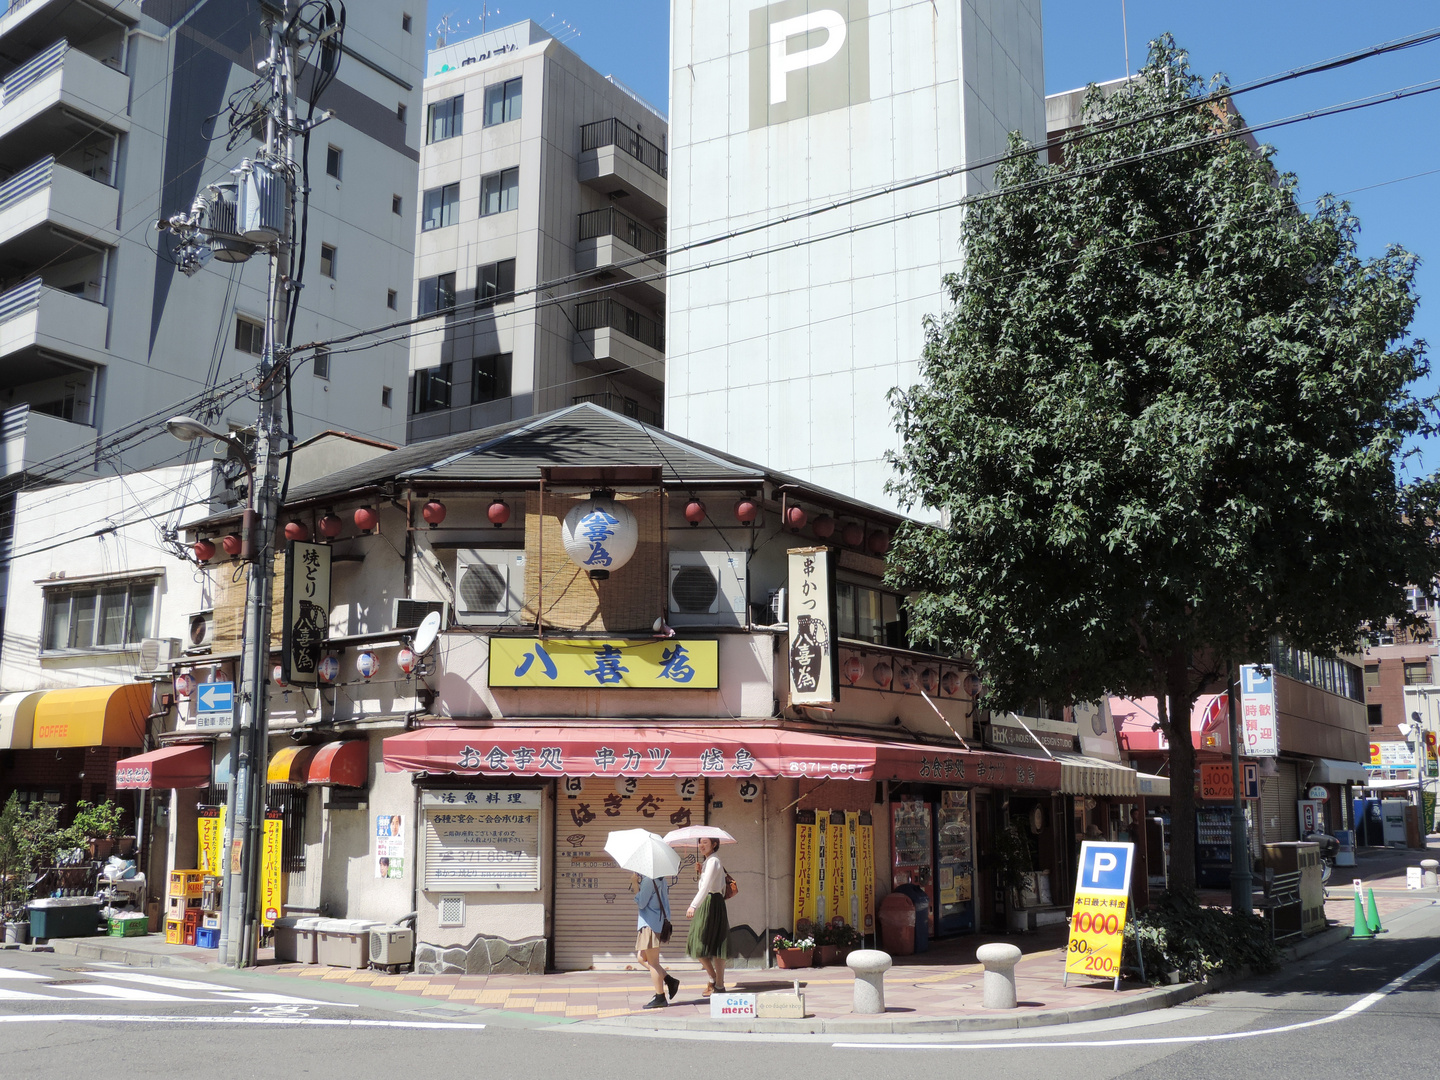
(1164, 418)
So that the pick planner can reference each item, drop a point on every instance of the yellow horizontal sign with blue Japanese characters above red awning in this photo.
(672, 665)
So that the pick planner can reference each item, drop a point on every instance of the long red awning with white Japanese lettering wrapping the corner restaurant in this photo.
(767, 752)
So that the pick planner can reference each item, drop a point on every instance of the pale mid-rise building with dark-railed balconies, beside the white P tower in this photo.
(541, 238)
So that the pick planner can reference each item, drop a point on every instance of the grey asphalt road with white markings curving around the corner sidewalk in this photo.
(1357, 1010)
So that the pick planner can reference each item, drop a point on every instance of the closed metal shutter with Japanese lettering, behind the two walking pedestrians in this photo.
(594, 906)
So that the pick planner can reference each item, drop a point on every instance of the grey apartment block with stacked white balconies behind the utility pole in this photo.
(114, 114)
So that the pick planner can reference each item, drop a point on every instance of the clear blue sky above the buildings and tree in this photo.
(1386, 161)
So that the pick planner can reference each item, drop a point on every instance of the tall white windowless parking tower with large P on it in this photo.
(784, 342)
